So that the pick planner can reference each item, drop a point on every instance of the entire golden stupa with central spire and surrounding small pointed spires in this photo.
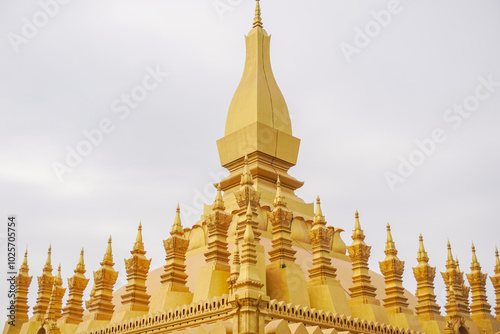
(261, 260)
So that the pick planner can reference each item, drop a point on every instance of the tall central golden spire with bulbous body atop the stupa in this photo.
(258, 122)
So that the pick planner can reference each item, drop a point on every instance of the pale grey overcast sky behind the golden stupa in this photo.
(364, 82)
